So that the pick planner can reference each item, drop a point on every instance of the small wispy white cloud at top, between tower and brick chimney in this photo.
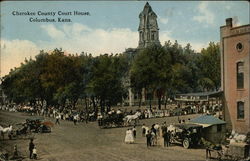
(205, 15)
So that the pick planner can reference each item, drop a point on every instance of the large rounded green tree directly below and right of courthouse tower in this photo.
(150, 70)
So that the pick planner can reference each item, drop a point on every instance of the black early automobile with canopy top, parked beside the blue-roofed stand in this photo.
(186, 134)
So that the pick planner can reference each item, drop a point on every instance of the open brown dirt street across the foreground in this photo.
(87, 142)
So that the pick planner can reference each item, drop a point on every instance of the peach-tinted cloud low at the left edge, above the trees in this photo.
(14, 52)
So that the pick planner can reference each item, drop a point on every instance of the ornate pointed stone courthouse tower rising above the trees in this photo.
(148, 27)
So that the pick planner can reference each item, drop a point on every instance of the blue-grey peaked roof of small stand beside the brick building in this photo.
(207, 120)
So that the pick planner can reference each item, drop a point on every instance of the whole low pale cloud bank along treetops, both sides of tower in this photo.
(77, 38)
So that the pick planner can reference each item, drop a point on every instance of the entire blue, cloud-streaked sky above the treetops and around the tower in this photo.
(110, 26)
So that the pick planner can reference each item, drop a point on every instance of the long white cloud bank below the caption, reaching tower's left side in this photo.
(79, 38)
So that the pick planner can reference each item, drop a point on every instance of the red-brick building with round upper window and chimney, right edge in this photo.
(235, 81)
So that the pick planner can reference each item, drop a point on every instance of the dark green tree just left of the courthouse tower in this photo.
(106, 79)
